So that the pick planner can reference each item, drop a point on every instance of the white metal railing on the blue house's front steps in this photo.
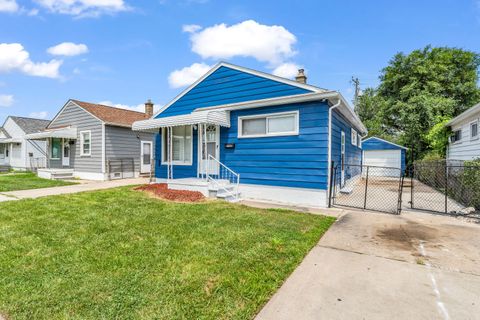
(224, 178)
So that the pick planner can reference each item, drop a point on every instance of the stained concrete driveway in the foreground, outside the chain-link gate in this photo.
(379, 266)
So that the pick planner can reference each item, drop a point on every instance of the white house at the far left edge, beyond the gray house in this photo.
(16, 151)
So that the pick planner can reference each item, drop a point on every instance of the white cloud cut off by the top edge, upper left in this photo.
(84, 8)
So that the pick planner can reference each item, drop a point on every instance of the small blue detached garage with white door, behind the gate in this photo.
(382, 153)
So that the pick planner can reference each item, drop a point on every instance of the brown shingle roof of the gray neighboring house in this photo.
(112, 115)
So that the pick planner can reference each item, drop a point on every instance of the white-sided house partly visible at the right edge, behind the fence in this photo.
(464, 143)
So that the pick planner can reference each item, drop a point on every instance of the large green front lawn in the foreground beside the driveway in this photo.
(121, 254)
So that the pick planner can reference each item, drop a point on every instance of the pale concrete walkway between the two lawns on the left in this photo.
(83, 186)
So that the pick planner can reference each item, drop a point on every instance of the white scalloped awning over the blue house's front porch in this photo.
(216, 117)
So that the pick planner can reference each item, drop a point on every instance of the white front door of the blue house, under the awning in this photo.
(209, 145)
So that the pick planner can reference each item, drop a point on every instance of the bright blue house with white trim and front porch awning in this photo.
(238, 132)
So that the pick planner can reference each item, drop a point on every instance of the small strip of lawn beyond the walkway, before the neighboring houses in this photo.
(27, 180)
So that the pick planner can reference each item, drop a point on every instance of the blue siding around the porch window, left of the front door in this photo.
(178, 171)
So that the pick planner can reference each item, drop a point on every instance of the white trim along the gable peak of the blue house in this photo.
(242, 69)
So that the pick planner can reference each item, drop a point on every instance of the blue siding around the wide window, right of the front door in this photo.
(290, 161)
